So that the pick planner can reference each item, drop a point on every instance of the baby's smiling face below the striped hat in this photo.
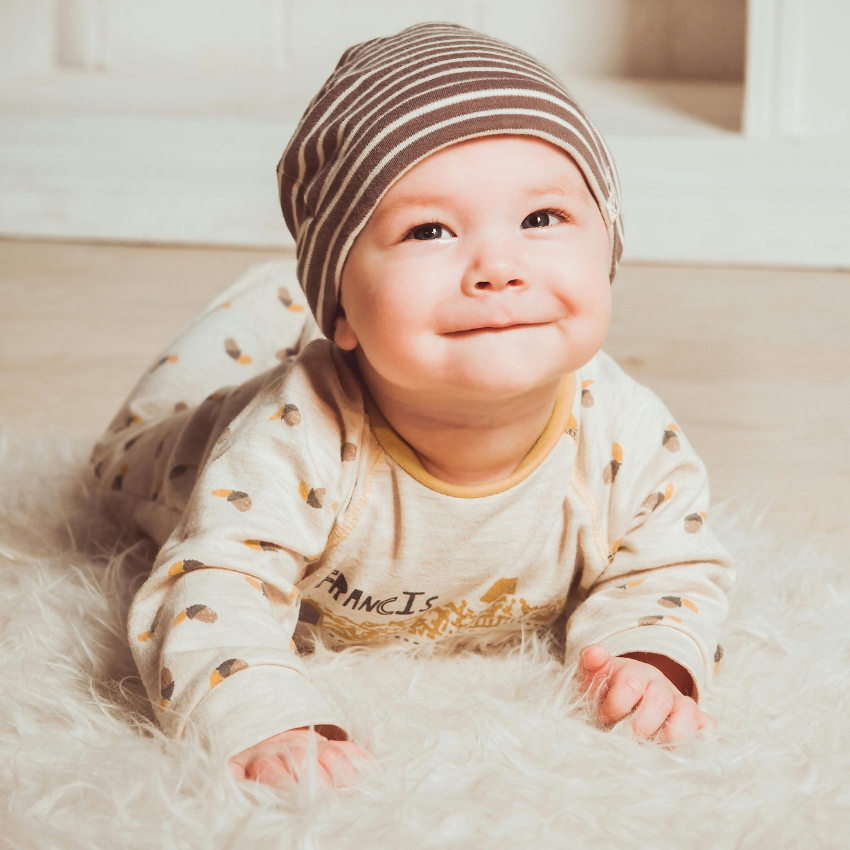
(482, 273)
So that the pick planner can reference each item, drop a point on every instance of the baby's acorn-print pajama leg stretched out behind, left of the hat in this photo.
(147, 461)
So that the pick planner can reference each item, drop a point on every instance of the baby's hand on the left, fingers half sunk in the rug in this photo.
(282, 760)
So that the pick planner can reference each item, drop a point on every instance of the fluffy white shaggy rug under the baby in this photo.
(469, 751)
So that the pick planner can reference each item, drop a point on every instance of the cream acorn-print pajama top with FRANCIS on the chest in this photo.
(308, 510)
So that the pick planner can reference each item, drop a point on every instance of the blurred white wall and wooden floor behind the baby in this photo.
(139, 138)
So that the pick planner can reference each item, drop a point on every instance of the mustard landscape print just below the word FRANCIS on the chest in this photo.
(445, 620)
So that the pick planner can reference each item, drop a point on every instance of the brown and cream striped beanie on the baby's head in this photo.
(391, 102)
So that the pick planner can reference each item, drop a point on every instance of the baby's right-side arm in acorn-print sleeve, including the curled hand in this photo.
(645, 633)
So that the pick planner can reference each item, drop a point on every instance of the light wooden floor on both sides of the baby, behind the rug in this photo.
(755, 364)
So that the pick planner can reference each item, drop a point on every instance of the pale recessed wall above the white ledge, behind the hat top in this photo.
(699, 39)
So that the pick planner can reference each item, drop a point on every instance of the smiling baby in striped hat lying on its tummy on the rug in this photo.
(454, 459)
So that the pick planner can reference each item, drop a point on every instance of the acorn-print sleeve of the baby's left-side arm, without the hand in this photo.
(212, 628)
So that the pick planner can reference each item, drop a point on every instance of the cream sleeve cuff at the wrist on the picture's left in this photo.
(258, 703)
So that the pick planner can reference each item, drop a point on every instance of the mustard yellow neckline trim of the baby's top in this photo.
(406, 458)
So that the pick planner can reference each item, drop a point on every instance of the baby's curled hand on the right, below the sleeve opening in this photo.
(625, 685)
